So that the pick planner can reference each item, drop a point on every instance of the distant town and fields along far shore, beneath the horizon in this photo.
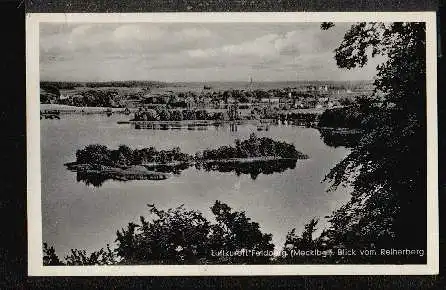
(156, 101)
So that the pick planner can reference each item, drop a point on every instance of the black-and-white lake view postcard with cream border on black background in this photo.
(232, 144)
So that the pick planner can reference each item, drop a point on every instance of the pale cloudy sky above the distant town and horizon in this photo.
(193, 52)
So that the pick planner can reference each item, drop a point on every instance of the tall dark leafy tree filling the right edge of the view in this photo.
(387, 169)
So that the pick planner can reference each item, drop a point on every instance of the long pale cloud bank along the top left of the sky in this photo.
(127, 38)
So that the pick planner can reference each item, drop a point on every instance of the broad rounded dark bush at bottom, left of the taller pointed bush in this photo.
(175, 236)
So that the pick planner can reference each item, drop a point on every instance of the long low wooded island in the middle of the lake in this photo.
(96, 163)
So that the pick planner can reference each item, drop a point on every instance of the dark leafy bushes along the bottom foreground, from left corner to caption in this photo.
(179, 236)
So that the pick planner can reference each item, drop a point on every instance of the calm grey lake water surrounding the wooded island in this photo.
(76, 215)
